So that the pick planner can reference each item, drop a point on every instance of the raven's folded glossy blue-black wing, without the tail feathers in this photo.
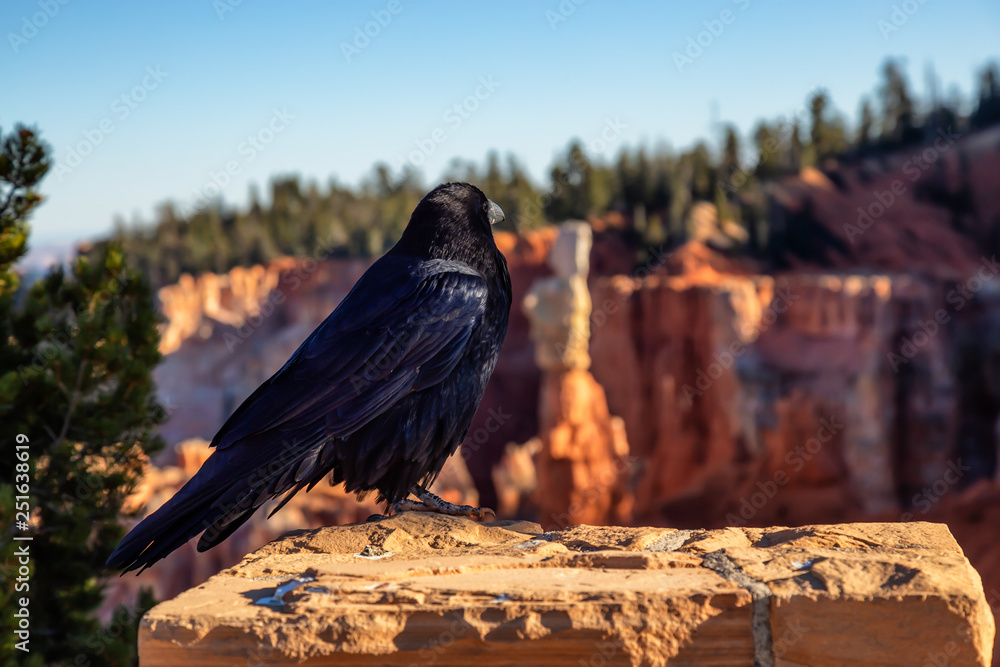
(402, 328)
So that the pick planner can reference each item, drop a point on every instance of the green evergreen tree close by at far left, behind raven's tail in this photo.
(76, 357)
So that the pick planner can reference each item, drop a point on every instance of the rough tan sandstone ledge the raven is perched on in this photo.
(454, 592)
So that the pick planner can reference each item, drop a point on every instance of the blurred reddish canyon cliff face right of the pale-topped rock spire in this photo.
(780, 399)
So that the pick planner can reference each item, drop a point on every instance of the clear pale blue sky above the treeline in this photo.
(232, 93)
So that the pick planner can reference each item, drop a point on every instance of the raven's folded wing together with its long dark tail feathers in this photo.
(402, 328)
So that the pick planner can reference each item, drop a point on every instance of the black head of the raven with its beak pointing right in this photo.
(453, 221)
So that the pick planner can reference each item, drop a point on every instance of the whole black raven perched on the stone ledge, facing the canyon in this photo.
(379, 395)
